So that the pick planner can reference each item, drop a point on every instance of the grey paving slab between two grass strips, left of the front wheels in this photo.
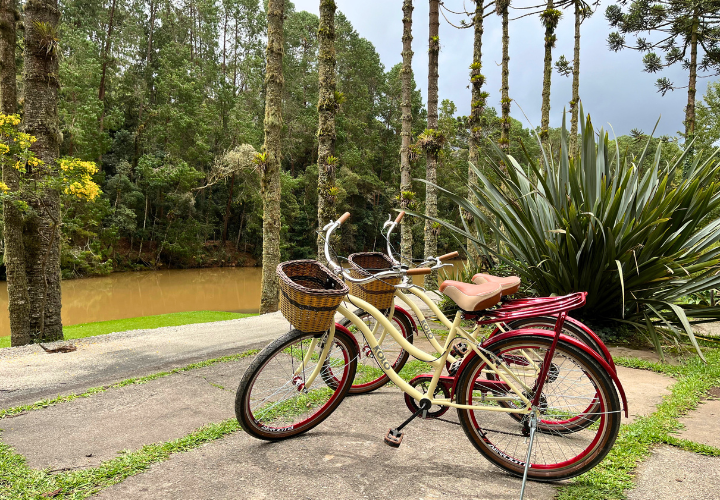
(88, 431)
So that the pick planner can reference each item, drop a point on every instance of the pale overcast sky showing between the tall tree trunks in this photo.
(613, 87)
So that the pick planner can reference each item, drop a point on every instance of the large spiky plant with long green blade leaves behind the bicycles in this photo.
(633, 233)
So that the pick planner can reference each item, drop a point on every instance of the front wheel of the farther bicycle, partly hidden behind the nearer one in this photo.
(369, 376)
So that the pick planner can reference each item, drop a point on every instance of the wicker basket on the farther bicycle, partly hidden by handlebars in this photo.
(378, 293)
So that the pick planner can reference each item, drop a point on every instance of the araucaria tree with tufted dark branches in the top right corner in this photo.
(687, 31)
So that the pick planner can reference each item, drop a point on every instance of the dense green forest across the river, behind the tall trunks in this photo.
(160, 94)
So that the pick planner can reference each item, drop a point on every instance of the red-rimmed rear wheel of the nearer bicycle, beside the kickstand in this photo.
(556, 455)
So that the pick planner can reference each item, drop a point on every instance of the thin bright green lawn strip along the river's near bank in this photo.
(142, 323)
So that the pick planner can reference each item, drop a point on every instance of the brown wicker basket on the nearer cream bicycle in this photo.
(309, 294)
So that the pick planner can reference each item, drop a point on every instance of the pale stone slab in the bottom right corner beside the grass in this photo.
(677, 474)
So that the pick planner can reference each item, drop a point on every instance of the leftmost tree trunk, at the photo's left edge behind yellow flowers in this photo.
(14, 257)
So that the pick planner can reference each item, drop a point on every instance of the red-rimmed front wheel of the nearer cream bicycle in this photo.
(273, 401)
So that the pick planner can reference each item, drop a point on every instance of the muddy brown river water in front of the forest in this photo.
(147, 293)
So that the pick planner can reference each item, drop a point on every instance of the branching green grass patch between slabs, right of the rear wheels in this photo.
(614, 475)
